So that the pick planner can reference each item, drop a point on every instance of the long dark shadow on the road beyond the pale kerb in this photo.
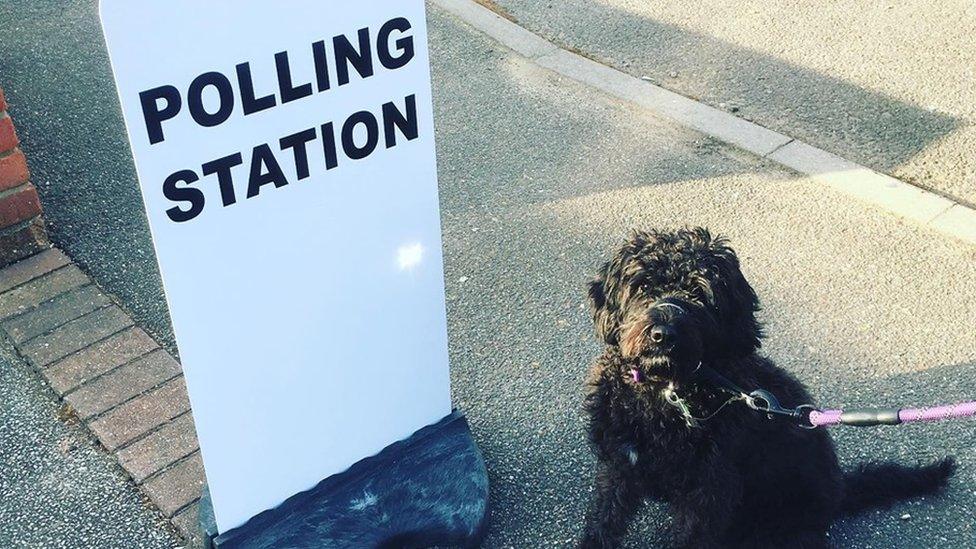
(859, 124)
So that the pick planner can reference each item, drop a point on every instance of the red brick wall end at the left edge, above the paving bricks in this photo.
(22, 232)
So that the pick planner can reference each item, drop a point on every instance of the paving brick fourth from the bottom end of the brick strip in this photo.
(141, 415)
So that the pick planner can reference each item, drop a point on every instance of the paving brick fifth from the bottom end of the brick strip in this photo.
(120, 385)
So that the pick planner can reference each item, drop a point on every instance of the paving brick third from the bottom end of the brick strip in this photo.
(170, 443)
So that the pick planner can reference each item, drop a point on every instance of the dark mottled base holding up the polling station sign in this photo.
(430, 489)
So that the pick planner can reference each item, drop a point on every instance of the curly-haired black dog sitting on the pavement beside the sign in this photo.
(668, 305)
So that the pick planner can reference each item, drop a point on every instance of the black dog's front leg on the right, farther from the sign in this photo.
(704, 508)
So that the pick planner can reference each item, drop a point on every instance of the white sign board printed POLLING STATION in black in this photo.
(285, 152)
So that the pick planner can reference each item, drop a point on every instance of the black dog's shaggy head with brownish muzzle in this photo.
(673, 299)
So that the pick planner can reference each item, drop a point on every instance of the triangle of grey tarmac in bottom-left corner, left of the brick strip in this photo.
(57, 490)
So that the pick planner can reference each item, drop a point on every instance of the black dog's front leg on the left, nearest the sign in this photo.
(617, 498)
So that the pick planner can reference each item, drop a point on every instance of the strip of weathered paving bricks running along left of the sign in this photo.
(118, 381)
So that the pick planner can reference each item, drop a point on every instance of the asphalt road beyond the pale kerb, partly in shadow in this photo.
(886, 84)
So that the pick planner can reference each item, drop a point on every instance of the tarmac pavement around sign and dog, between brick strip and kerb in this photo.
(540, 179)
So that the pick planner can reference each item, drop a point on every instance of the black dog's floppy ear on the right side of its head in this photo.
(736, 301)
